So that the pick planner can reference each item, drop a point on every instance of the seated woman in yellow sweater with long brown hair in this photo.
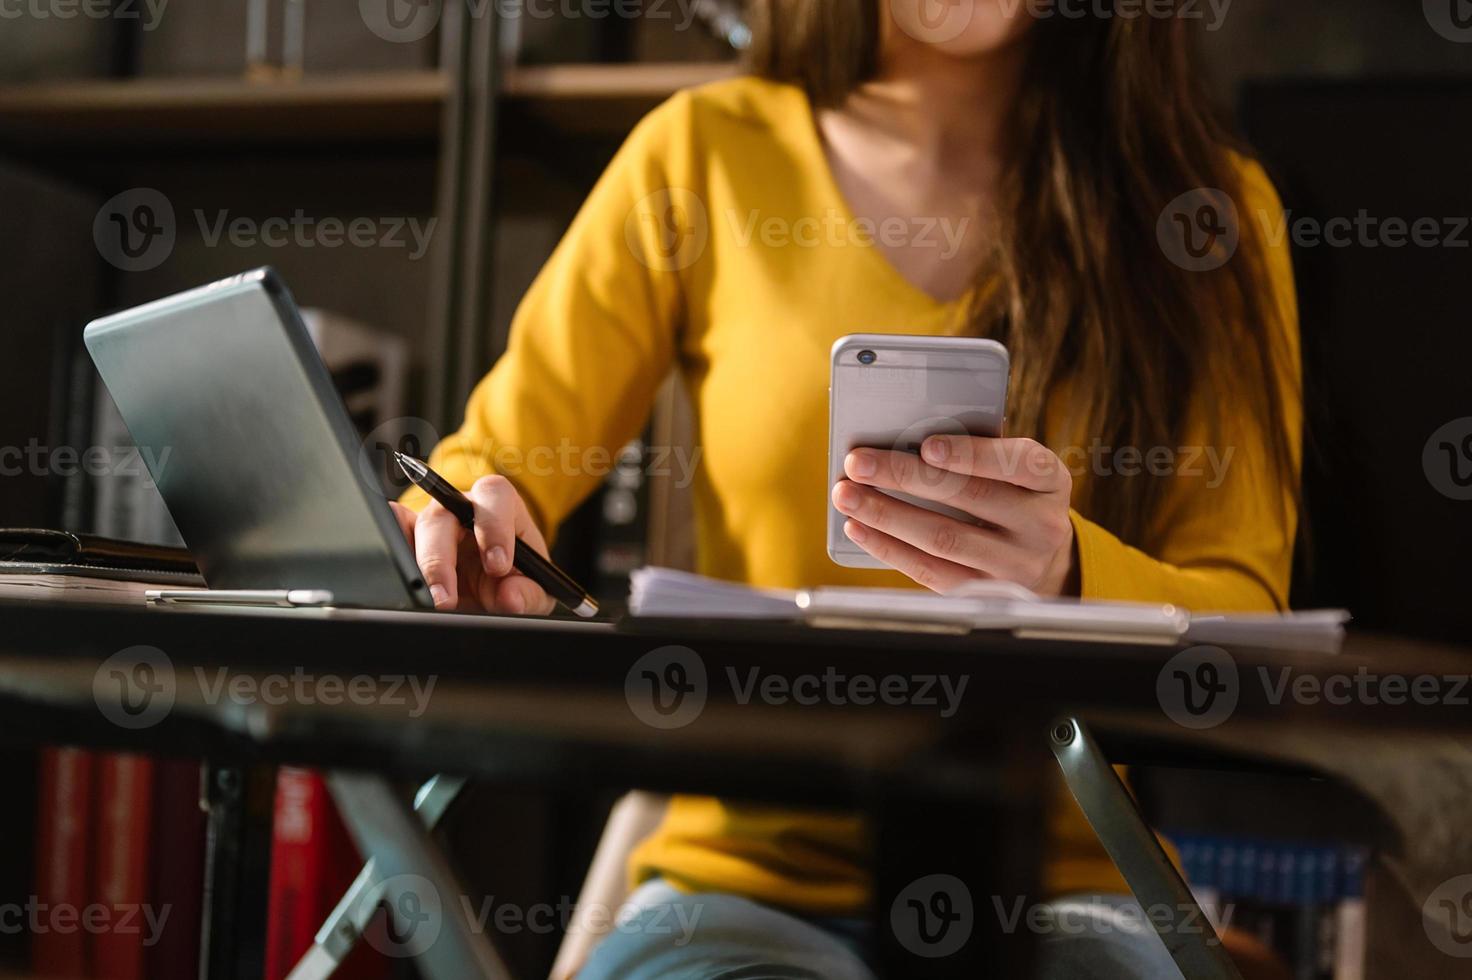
(991, 173)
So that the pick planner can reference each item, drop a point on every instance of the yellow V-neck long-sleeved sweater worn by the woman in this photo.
(718, 242)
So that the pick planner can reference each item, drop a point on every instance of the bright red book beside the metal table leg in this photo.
(313, 863)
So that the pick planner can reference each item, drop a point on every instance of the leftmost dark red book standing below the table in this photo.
(63, 881)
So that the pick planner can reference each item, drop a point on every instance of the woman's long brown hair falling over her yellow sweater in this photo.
(1112, 124)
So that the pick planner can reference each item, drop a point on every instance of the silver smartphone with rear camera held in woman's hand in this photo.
(894, 391)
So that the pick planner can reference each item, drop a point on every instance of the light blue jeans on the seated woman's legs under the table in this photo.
(669, 935)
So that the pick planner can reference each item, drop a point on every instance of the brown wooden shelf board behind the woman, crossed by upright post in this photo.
(342, 108)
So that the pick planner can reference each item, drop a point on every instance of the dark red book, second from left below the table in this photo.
(124, 831)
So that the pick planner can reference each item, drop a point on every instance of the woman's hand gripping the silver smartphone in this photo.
(1016, 488)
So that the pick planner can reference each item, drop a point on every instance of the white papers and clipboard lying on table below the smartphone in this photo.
(983, 606)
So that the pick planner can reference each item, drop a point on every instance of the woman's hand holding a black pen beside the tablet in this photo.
(473, 570)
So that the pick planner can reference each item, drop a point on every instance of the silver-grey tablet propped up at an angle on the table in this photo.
(251, 445)
